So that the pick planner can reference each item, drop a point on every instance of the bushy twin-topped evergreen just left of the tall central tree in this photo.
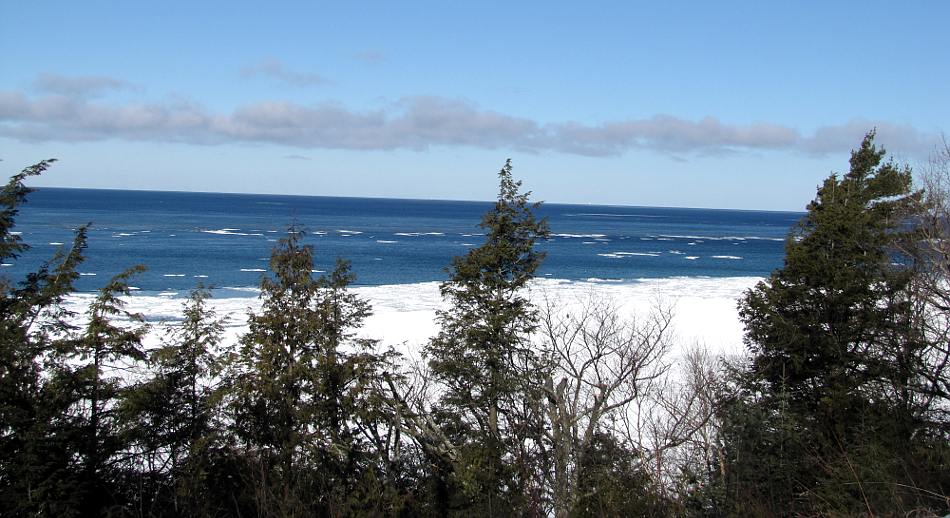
(300, 383)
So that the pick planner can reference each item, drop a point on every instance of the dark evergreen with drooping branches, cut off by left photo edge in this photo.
(37, 474)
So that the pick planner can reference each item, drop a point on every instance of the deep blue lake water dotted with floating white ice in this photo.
(224, 240)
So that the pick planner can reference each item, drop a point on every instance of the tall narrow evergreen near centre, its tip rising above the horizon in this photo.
(483, 357)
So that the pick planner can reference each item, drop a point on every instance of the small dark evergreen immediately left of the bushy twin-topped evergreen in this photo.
(170, 418)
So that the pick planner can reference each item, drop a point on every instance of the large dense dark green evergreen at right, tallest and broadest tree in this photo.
(826, 416)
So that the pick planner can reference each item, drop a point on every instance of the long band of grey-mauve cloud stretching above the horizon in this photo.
(68, 112)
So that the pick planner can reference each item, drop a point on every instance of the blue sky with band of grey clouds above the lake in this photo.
(710, 104)
